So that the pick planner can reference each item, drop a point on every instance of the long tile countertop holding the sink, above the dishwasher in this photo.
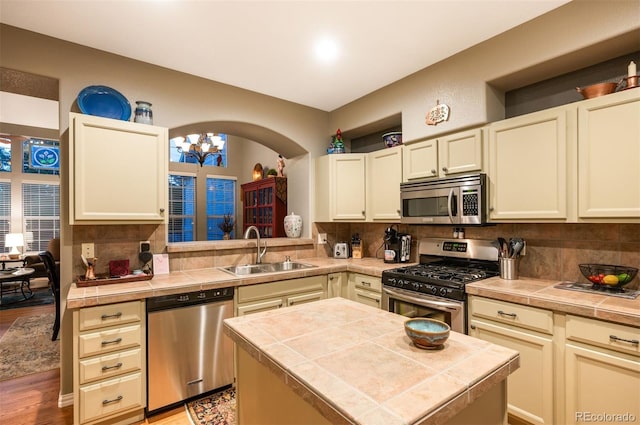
(212, 278)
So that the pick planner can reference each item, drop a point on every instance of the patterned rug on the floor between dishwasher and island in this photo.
(215, 409)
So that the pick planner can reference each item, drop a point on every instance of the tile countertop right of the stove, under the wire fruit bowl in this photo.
(542, 293)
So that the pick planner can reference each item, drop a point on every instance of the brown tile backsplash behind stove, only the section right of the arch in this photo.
(553, 250)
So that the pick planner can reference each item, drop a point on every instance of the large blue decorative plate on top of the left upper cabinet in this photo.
(105, 102)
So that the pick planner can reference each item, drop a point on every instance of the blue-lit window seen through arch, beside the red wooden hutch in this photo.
(221, 201)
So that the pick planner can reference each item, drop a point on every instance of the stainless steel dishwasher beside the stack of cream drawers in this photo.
(188, 353)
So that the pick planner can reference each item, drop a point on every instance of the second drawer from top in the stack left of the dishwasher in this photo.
(109, 340)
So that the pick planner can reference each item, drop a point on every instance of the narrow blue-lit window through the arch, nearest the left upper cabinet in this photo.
(182, 208)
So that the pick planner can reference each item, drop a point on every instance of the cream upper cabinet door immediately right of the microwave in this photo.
(528, 166)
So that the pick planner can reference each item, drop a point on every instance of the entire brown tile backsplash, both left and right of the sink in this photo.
(553, 250)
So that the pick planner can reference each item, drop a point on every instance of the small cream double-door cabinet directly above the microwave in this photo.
(452, 154)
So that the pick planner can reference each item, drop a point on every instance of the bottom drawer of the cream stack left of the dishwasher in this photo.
(110, 397)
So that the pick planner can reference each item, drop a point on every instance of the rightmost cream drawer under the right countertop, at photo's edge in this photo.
(604, 334)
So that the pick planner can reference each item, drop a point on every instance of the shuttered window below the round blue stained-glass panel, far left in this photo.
(40, 214)
